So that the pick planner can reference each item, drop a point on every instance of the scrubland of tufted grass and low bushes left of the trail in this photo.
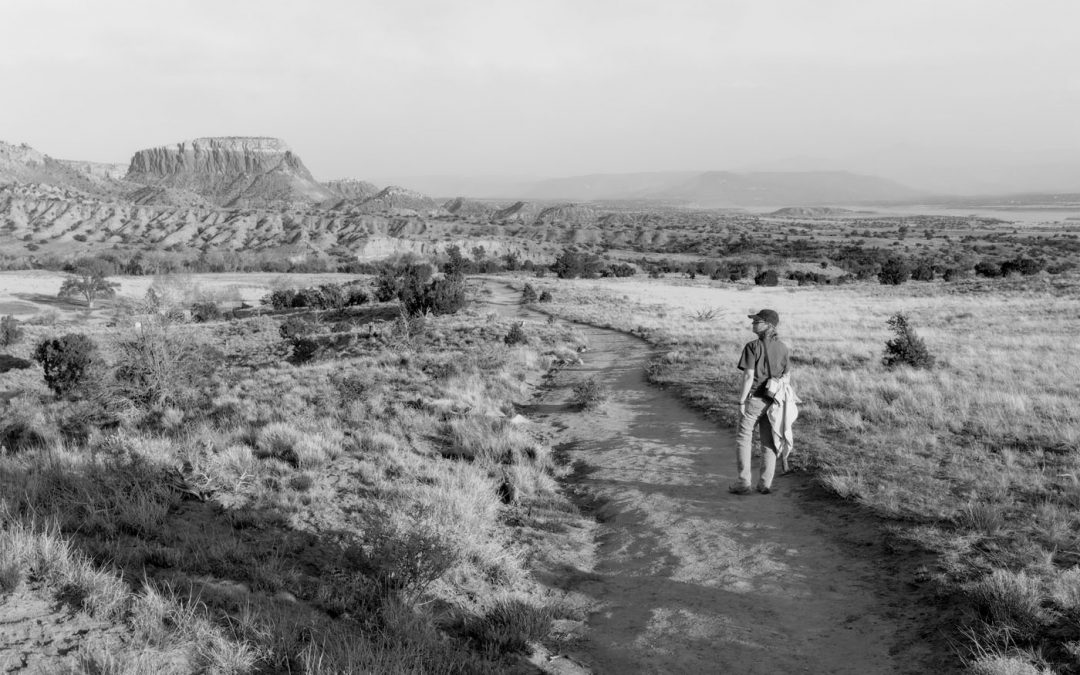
(227, 506)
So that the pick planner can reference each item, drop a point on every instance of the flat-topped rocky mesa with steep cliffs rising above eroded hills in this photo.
(236, 172)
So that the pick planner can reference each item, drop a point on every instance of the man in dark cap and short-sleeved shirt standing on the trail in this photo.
(762, 359)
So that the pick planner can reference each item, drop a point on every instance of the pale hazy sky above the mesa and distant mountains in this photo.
(549, 88)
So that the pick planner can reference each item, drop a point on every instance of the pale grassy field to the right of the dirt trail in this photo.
(976, 461)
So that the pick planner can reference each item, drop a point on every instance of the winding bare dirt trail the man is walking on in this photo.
(692, 579)
